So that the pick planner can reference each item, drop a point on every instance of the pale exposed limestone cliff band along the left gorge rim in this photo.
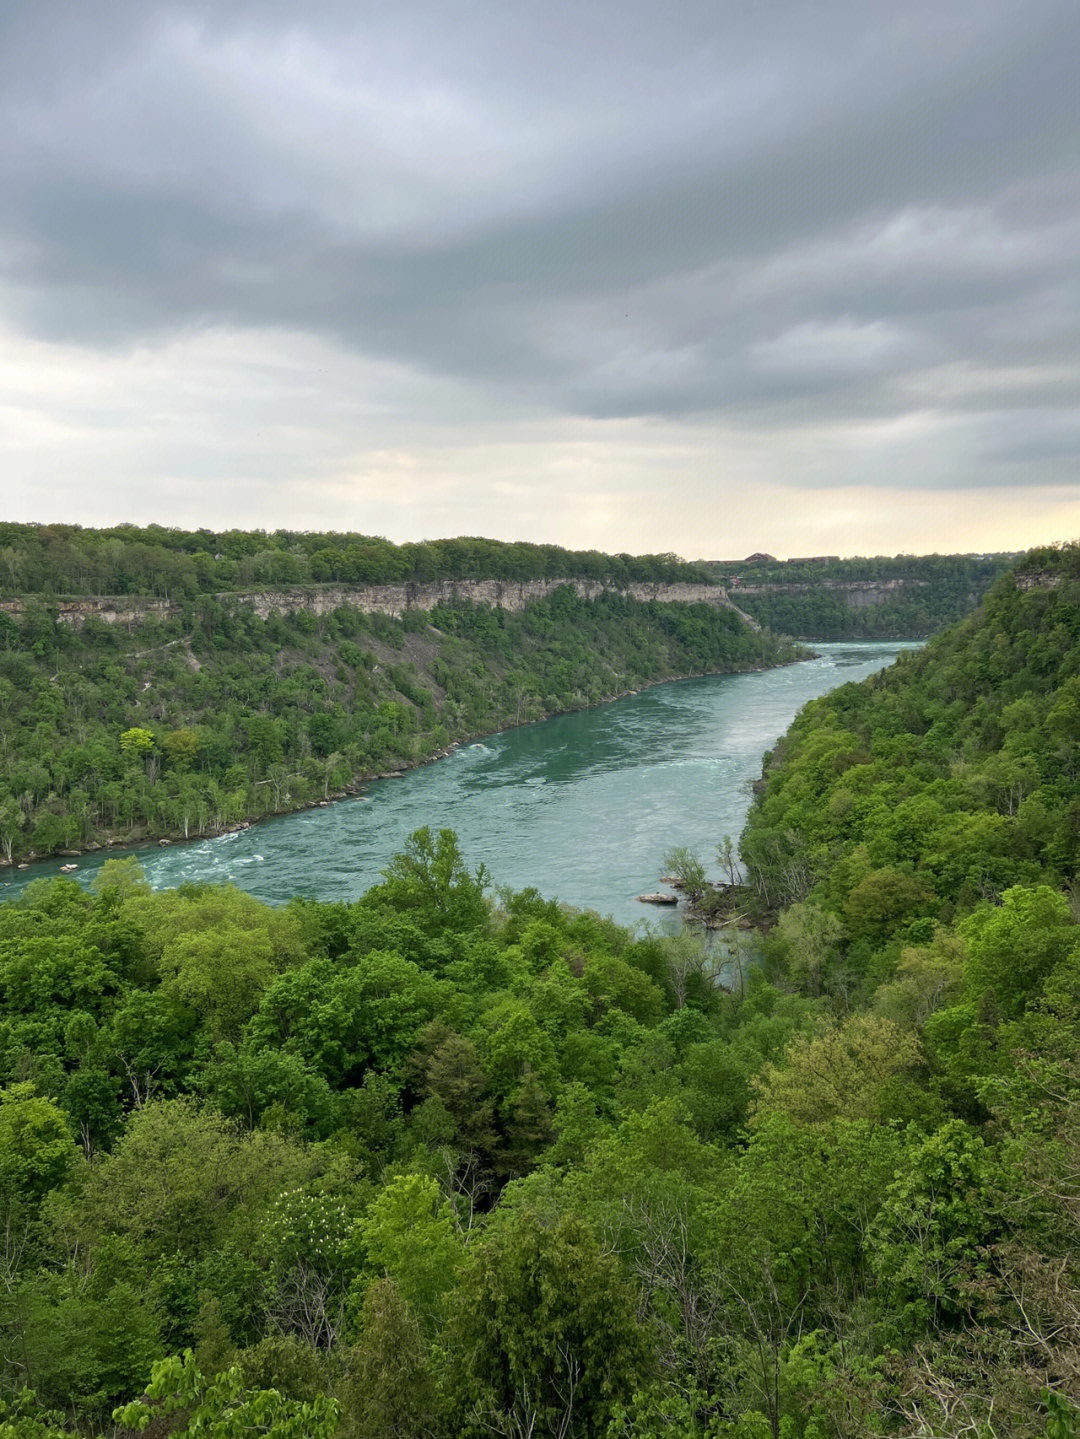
(385, 599)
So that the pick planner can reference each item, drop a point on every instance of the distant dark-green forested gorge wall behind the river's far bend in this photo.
(931, 594)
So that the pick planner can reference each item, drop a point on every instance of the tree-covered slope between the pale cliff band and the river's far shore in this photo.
(182, 727)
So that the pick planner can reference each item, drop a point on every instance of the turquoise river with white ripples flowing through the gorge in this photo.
(583, 807)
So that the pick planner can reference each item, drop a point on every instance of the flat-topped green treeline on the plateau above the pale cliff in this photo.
(68, 560)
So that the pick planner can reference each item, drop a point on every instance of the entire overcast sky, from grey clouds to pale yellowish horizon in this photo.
(708, 278)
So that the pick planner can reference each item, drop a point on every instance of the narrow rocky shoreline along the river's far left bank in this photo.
(170, 837)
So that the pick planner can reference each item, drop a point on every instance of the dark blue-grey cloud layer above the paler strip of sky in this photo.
(782, 214)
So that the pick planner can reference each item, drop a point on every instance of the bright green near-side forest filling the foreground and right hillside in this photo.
(452, 1163)
